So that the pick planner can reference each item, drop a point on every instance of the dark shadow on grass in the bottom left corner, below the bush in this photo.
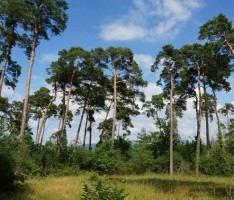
(19, 192)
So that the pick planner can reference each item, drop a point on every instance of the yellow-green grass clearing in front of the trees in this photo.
(142, 187)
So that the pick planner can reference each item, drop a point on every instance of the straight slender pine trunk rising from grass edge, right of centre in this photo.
(171, 126)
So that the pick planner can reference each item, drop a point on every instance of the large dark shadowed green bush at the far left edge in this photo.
(16, 162)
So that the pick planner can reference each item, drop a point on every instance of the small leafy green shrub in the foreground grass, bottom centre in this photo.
(99, 190)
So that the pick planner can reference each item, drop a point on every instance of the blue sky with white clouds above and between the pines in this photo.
(142, 25)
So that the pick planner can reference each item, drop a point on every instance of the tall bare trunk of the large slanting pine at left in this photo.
(27, 89)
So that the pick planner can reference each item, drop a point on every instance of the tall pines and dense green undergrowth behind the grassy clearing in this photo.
(110, 81)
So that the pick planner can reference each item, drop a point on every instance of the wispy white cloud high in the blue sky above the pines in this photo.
(150, 20)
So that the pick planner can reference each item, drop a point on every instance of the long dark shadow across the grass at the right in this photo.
(194, 188)
